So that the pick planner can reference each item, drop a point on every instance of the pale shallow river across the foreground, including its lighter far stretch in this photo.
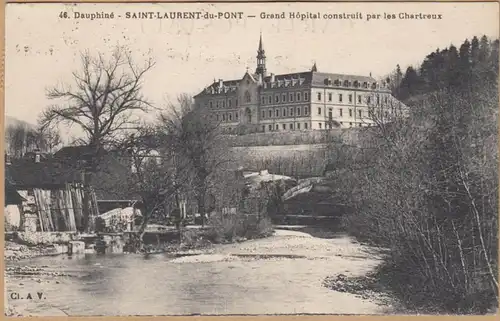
(282, 274)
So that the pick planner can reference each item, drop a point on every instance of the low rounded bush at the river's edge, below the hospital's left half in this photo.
(234, 227)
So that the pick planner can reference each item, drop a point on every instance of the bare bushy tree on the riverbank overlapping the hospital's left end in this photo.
(197, 141)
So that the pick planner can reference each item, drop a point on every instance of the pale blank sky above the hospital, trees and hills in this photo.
(43, 49)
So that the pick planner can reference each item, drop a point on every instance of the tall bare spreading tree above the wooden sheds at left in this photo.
(102, 103)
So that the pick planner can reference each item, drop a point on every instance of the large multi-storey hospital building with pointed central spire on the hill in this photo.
(310, 100)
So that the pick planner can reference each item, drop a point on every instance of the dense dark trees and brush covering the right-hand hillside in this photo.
(426, 187)
